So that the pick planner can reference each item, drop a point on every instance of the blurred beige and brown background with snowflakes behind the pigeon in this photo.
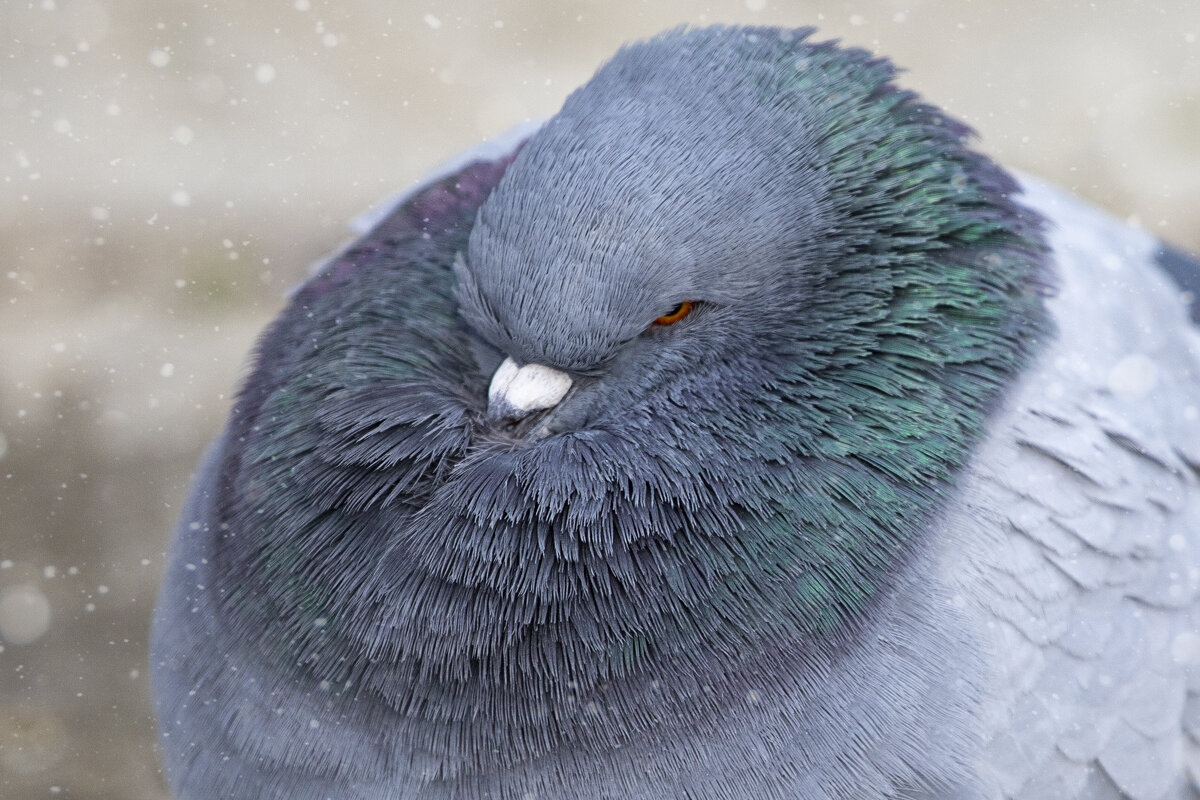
(169, 170)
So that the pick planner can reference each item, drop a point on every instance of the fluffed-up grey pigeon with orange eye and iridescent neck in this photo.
(739, 432)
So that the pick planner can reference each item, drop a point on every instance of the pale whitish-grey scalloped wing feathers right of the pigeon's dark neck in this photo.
(1077, 542)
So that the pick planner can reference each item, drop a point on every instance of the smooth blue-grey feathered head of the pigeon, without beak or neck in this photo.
(644, 194)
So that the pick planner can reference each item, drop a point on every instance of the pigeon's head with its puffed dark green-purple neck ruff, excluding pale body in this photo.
(671, 407)
